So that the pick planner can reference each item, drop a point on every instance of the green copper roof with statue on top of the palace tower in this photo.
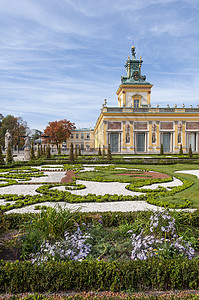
(133, 71)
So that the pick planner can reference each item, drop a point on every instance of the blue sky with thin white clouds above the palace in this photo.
(59, 59)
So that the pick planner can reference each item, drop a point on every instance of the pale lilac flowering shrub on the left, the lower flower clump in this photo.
(72, 247)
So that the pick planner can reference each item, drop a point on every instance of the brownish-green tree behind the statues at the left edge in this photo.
(17, 128)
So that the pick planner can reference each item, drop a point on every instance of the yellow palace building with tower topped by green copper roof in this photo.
(135, 127)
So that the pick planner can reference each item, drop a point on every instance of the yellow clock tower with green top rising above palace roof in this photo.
(134, 90)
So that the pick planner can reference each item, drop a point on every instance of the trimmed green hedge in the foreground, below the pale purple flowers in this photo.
(22, 277)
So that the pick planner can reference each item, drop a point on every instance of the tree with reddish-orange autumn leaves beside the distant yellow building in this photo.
(59, 131)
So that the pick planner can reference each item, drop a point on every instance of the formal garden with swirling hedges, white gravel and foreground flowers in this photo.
(118, 228)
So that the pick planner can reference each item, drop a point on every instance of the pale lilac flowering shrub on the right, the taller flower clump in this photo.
(162, 240)
